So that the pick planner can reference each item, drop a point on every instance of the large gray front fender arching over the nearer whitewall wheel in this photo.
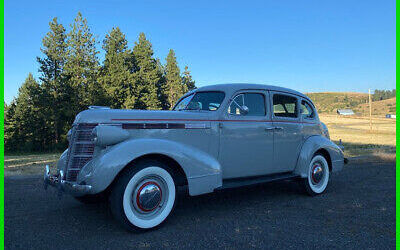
(203, 171)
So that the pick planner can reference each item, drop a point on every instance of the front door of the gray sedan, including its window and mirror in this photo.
(246, 140)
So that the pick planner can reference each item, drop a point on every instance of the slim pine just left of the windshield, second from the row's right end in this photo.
(173, 88)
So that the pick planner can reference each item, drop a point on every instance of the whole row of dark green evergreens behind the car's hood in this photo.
(72, 78)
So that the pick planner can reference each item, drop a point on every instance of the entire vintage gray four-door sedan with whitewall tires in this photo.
(215, 137)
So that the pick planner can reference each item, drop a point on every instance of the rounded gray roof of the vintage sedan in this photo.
(233, 87)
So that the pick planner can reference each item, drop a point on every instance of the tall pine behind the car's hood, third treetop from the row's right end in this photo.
(147, 77)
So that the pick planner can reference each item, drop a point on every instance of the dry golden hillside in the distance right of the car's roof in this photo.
(329, 102)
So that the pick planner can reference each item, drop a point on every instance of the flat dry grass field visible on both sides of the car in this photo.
(359, 141)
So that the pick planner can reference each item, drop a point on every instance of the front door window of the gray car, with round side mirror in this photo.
(253, 101)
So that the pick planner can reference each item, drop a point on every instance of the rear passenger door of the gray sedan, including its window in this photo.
(287, 133)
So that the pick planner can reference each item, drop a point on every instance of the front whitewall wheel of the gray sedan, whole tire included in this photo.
(144, 195)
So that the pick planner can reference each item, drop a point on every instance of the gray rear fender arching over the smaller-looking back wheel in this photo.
(311, 146)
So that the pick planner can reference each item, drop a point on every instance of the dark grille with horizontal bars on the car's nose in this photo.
(80, 150)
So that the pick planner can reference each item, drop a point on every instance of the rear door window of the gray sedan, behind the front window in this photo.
(285, 106)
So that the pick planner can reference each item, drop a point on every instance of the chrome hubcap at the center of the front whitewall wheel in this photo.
(148, 196)
